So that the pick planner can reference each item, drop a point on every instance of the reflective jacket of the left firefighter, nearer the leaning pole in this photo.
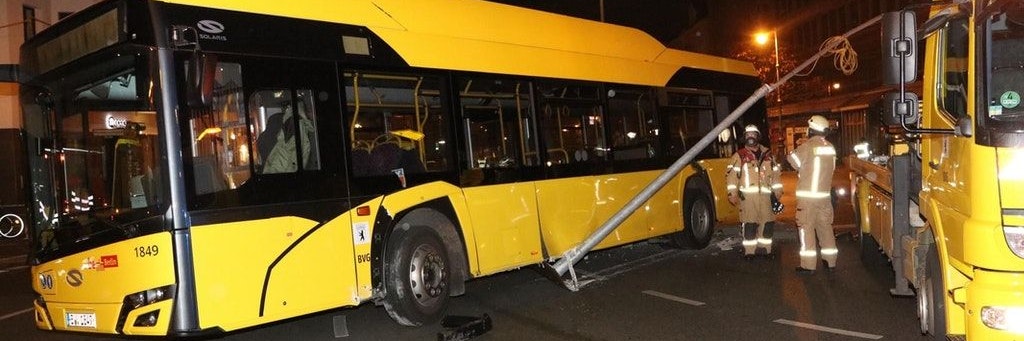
(753, 173)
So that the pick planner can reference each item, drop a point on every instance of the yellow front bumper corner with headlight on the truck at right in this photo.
(995, 306)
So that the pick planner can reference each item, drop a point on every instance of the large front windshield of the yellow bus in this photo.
(98, 172)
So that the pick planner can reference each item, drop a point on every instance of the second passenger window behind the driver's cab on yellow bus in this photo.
(498, 121)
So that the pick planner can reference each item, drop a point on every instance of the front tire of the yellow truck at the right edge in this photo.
(931, 300)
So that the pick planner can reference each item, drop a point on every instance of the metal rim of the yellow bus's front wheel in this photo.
(428, 276)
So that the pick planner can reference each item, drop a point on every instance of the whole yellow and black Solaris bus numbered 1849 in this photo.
(206, 166)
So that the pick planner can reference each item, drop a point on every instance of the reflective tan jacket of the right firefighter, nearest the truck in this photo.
(815, 162)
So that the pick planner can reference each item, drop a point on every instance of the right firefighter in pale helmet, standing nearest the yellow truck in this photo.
(816, 161)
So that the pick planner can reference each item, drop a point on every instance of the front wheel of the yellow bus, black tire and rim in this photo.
(417, 278)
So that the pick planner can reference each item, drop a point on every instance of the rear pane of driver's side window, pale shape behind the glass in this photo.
(285, 130)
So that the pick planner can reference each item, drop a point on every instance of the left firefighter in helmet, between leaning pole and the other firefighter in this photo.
(752, 181)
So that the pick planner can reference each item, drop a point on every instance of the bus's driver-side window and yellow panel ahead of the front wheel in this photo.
(270, 196)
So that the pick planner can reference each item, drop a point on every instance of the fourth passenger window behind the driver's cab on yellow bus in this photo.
(633, 124)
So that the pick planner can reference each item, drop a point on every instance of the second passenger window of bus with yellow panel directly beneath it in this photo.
(500, 164)
